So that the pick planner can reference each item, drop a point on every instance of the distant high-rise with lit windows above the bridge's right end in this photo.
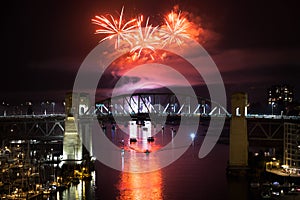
(280, 94)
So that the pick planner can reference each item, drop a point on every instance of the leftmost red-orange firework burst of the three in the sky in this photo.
(113, 28)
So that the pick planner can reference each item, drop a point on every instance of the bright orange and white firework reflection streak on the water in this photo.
(140, 185)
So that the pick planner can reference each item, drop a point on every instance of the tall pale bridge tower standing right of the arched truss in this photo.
(238, 153)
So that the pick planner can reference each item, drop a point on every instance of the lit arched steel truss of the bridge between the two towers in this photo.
(161, 104)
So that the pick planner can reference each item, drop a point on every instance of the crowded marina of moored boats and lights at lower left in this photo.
(27, 176)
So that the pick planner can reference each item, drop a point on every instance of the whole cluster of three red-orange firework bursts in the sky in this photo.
(144, 40)
